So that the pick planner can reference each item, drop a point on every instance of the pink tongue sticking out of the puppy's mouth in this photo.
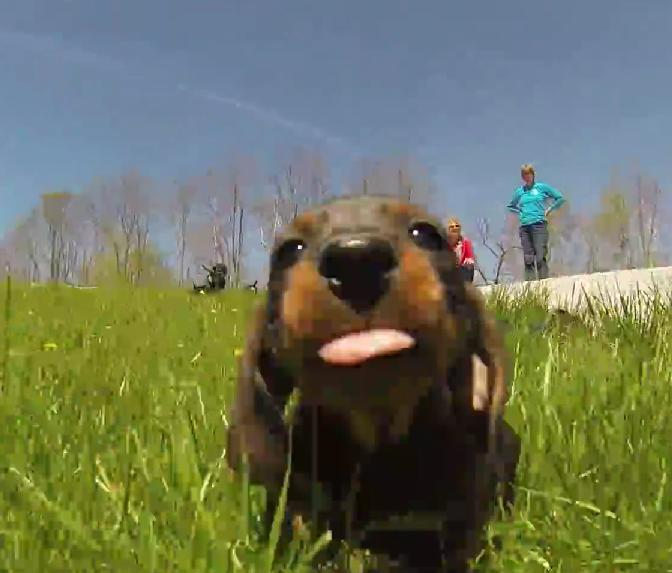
(360, 346)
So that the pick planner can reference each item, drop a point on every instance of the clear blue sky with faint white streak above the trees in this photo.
(473, 89)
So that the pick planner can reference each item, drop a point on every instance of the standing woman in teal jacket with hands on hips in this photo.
(530, 203)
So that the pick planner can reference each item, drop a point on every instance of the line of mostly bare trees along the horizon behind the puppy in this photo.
(136, 230)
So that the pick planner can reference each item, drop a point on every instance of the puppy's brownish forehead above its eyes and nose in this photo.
(382, 216)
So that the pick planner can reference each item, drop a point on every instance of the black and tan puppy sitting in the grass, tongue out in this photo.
(402, 385)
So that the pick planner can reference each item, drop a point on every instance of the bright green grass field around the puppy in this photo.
(113, 417)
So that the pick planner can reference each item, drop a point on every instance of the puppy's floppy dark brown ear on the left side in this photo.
(257, 427)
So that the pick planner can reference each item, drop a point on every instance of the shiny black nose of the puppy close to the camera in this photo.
(357, 270)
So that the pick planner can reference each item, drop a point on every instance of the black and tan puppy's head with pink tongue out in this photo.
(366, 309)
